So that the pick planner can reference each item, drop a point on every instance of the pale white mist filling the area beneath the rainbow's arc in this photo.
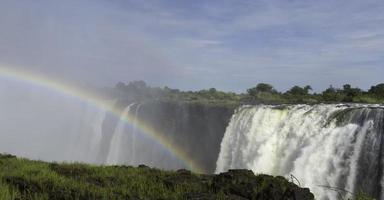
(45, 124)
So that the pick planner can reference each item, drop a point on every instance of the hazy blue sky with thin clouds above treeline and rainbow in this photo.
(228, 44)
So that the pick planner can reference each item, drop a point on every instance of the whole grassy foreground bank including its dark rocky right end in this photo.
(25, 179)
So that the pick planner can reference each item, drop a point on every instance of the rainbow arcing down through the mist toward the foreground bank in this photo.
(67, 89)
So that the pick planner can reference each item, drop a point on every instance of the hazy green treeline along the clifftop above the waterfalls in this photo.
(261, 93)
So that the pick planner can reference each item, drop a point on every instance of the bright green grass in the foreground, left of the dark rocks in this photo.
(30, 179)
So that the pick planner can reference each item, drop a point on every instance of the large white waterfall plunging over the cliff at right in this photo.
(338, 146)
